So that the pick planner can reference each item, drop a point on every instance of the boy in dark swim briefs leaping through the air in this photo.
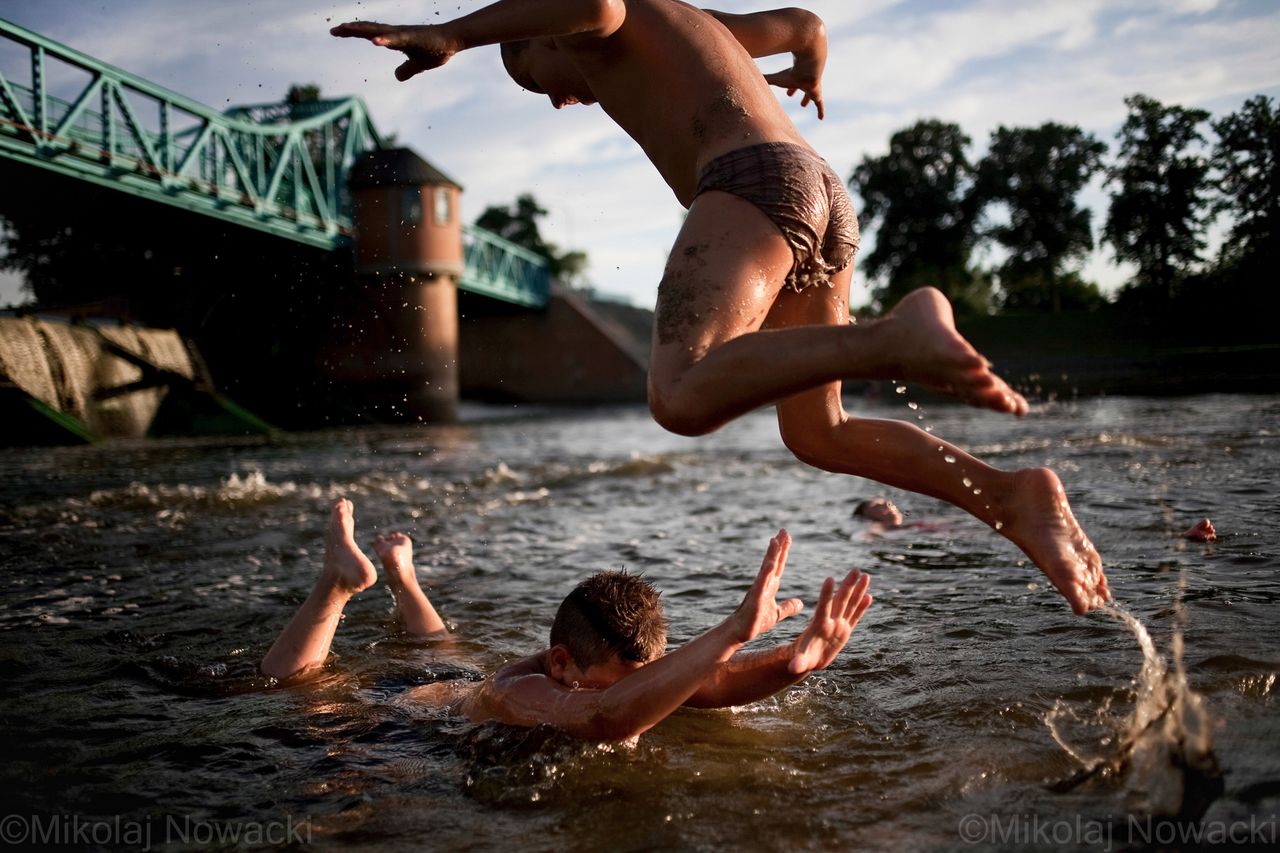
(753, 307)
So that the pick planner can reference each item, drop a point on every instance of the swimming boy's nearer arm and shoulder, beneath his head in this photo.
(525, 696)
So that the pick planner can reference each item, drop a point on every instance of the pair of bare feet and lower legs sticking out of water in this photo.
(304, 645)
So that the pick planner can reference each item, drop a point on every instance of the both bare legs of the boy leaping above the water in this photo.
(710, 364)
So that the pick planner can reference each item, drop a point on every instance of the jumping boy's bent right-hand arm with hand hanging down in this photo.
(785, 31)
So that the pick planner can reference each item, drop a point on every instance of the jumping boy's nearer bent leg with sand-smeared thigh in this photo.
(711, 363)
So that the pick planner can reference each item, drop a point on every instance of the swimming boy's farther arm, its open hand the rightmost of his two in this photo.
(751, 677)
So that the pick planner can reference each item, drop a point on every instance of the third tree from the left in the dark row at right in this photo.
(1160, 207)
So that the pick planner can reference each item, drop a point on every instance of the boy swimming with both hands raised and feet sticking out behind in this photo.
(606, 676)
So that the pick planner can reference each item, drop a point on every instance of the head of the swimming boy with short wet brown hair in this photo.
(611, 613)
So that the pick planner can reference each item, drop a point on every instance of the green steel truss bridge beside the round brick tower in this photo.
(280, 168)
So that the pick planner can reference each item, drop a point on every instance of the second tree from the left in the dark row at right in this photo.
(1037, 174)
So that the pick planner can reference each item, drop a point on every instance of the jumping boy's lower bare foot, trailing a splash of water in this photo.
(1039, 519)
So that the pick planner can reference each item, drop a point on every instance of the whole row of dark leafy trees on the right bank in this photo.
(932, 209)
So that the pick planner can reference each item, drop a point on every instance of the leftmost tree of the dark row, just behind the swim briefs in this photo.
(917, 199)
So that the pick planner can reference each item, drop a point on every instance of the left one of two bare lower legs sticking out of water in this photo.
(305, 642)
